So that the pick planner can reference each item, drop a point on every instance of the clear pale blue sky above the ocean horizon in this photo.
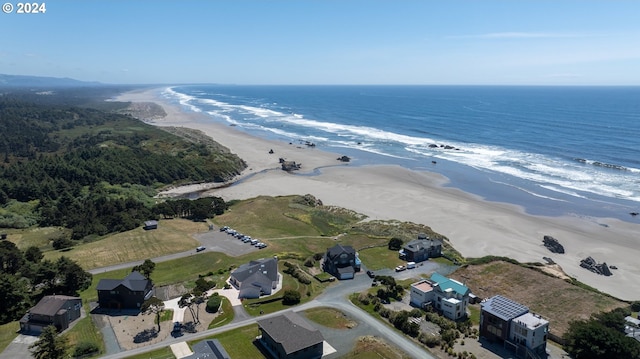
(519, 42)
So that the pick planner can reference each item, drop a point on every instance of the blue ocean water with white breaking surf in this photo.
(552, 150)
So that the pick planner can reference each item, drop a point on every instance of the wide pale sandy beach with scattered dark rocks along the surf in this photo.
(475, 227)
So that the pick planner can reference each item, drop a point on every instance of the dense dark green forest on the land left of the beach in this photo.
(94, 171)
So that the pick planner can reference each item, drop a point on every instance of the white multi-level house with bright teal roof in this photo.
(446, 295)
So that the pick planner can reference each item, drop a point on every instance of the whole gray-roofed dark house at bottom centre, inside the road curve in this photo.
(289, 336)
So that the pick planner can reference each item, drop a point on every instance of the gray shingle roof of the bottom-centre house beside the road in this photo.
(292, 331)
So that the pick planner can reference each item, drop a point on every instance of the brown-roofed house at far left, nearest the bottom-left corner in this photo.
(56, 310)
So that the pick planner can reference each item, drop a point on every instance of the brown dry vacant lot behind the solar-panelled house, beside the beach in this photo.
(553, 298)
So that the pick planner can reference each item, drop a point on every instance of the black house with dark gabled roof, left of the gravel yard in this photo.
(127, 293)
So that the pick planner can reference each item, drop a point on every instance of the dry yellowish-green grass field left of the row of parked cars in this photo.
(172, 236)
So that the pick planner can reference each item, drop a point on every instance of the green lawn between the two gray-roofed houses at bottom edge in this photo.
(239, 343)
